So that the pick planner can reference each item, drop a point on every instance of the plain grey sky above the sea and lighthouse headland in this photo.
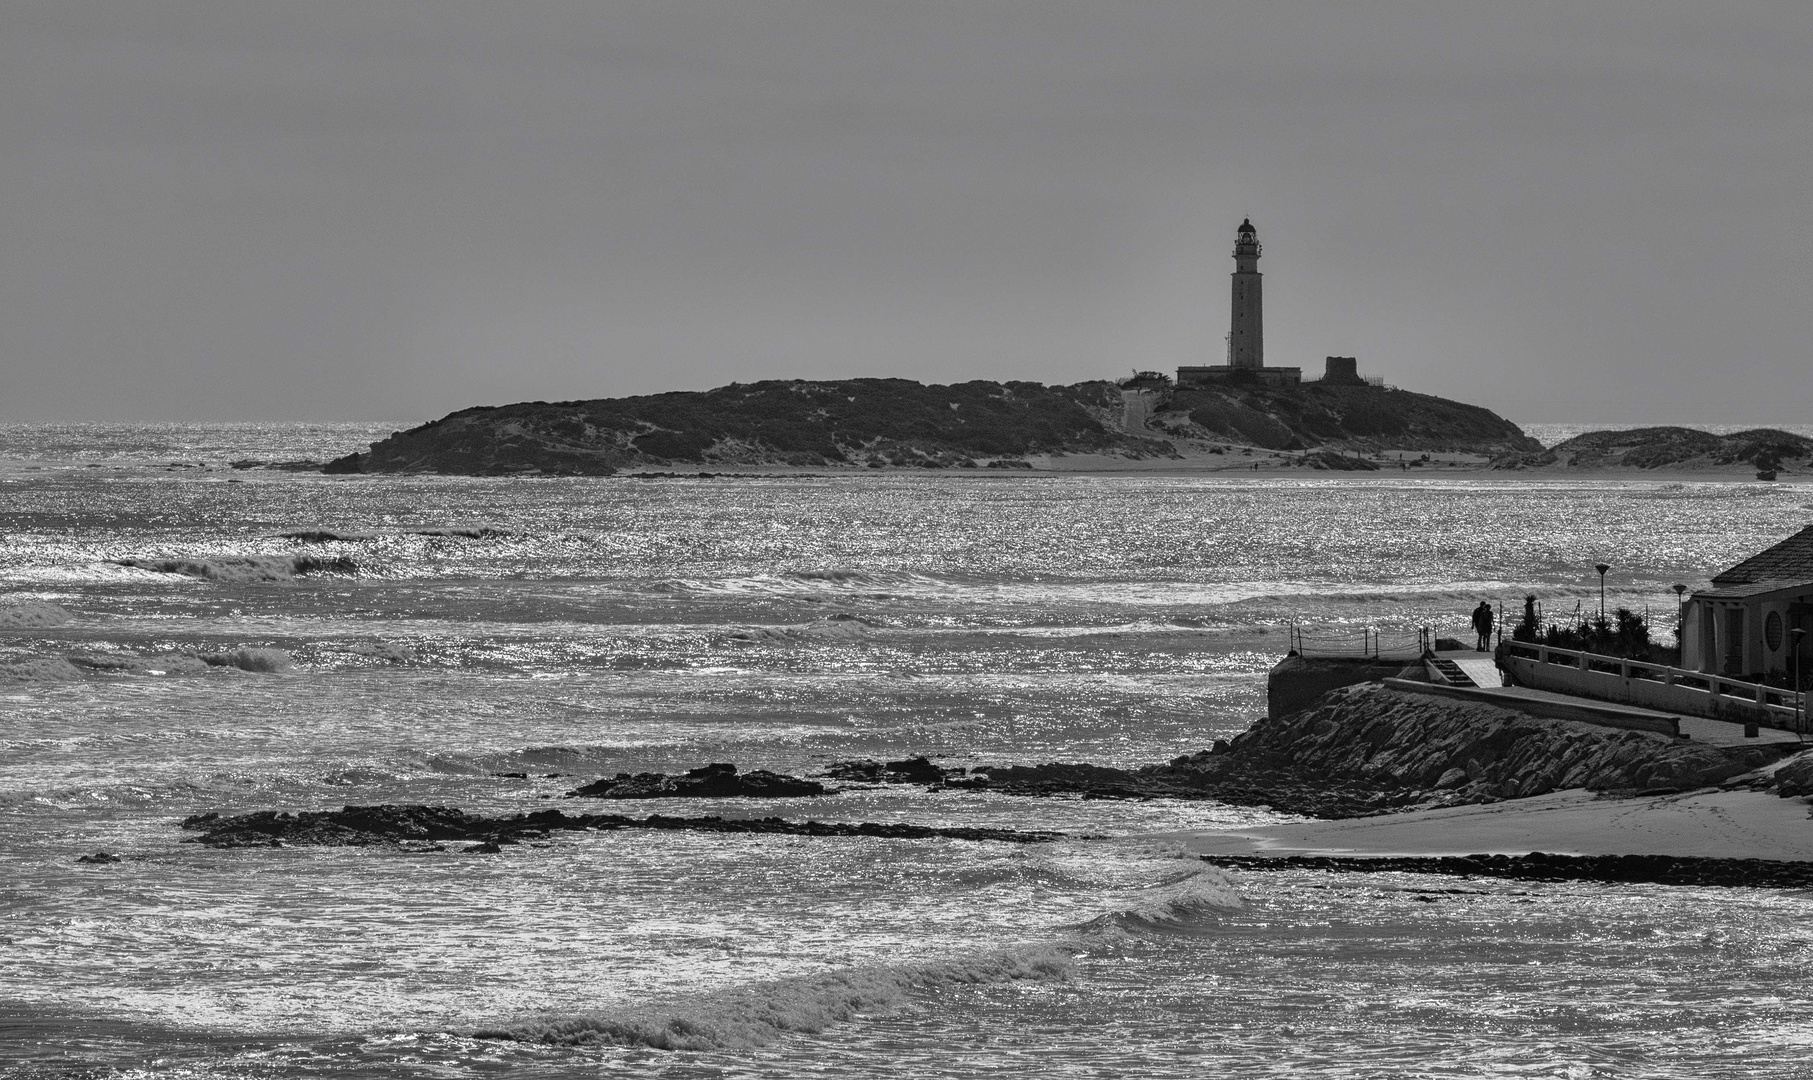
(396, 209)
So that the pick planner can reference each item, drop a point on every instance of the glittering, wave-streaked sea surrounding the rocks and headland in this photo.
(184, 632)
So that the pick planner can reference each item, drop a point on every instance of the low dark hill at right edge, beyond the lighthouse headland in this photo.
(1672, 448)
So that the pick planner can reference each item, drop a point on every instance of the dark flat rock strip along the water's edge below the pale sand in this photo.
(1544, 867)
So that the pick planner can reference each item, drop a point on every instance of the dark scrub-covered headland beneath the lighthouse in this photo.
(898, 423)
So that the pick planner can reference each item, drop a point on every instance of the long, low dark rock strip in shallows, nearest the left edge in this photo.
(431, 827)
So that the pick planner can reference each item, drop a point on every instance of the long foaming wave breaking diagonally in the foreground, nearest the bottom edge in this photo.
(757, 1014)
